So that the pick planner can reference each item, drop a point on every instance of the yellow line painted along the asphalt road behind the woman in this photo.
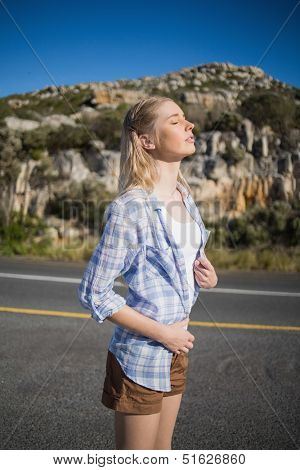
(248, 326)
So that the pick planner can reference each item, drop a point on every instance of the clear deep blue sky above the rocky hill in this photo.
(96, 40)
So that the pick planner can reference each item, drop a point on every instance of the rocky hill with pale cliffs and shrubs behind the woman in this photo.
(63, 142)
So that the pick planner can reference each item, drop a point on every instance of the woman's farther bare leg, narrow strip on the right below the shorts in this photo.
(168, 416)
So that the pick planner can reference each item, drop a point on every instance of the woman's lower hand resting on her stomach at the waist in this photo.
(176, 338)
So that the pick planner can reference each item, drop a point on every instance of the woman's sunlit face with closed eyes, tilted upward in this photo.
(173, 131)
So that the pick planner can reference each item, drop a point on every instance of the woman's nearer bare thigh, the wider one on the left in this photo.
(135, 432)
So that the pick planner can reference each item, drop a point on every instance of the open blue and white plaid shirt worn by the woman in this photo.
(137, 244)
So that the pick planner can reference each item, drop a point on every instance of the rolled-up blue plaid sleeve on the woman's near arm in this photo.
(108, 261)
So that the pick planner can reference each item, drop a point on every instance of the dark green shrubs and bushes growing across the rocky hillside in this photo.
(254, 234)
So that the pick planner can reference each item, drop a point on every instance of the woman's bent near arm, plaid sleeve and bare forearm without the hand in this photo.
(110, 259)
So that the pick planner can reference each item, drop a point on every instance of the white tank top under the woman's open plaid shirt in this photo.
(188, 236)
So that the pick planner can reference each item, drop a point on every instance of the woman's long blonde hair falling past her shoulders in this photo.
(137, 166)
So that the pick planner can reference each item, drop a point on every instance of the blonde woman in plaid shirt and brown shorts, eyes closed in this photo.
(147, 356)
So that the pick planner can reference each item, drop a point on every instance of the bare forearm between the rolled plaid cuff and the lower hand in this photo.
(139, 323)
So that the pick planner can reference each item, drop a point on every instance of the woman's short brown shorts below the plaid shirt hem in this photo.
(120, 393)
